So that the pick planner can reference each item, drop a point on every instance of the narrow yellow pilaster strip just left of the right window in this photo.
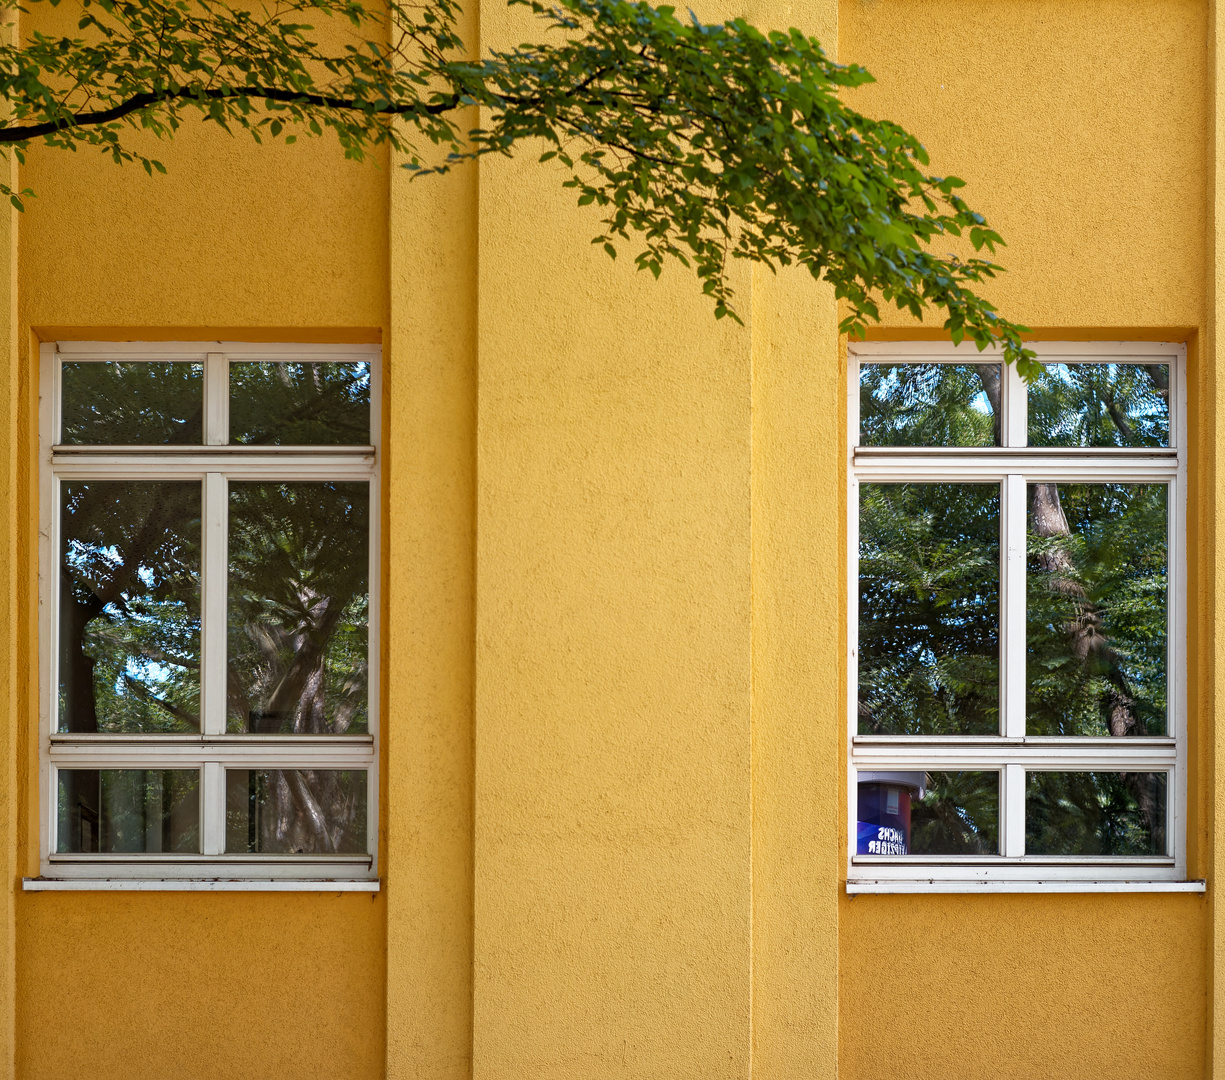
(799, 650)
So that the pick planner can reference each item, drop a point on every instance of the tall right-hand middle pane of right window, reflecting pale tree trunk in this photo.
(1097, 609)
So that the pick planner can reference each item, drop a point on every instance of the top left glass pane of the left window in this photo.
(133, 403)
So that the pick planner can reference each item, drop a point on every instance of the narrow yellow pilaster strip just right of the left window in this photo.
(429, 477)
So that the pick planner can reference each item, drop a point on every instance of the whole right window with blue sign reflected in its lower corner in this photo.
(1017, 636)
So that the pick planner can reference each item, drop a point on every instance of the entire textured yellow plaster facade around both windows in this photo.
(613, 830)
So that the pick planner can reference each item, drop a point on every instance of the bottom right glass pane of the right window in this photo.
(1096, 814)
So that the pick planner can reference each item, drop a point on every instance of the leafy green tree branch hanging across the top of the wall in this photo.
(698, 143)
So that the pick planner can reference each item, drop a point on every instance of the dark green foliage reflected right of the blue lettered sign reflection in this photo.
(959, 815)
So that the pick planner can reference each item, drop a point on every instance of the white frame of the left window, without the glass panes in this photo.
(213, 750)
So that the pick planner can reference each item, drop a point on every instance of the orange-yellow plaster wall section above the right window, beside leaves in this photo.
(1081, 130)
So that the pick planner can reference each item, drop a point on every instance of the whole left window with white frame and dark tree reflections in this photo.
(209, 598)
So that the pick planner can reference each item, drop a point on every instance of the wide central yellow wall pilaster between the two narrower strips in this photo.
(613, 801)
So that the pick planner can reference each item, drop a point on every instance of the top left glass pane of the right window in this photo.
(929, 405)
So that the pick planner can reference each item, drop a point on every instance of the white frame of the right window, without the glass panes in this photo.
(1011, 754)
